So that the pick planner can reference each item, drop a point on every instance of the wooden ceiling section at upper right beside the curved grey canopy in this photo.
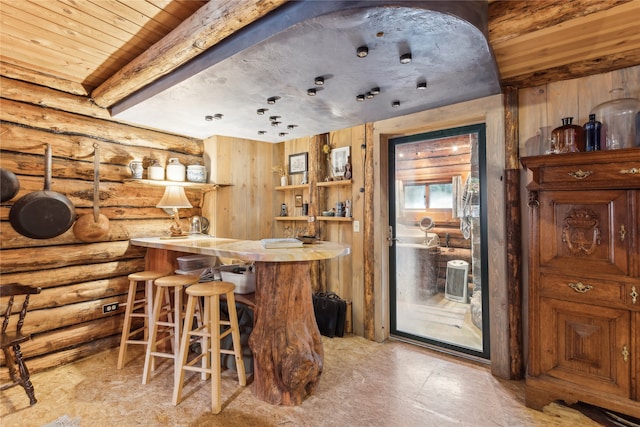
(561, 40)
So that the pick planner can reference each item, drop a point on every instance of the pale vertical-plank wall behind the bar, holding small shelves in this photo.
(246, 208)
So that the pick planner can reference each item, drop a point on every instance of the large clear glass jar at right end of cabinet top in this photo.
(619, 117)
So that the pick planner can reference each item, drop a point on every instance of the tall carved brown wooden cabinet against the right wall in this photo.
(584, 280)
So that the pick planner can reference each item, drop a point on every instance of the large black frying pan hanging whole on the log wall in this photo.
(43, 214)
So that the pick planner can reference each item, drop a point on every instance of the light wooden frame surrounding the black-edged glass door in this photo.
(489, 110)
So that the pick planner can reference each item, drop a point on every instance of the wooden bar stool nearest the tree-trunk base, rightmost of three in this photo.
(210, 335)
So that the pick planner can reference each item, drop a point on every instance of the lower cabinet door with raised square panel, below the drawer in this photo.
(586, 345)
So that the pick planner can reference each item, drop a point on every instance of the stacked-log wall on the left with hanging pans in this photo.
(79, 278)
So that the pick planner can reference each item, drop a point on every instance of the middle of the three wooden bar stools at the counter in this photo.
(170, 328)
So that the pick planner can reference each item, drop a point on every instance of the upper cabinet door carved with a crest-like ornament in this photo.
(585, 231)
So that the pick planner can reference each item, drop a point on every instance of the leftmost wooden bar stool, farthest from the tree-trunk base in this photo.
(136, 308)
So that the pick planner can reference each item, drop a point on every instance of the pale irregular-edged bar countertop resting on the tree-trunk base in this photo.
(247, 250)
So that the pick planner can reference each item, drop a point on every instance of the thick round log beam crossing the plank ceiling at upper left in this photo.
(209, 25)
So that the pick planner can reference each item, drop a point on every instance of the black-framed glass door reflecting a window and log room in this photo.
(438, 274)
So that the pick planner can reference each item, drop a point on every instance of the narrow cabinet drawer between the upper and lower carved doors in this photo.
(583, 290)
